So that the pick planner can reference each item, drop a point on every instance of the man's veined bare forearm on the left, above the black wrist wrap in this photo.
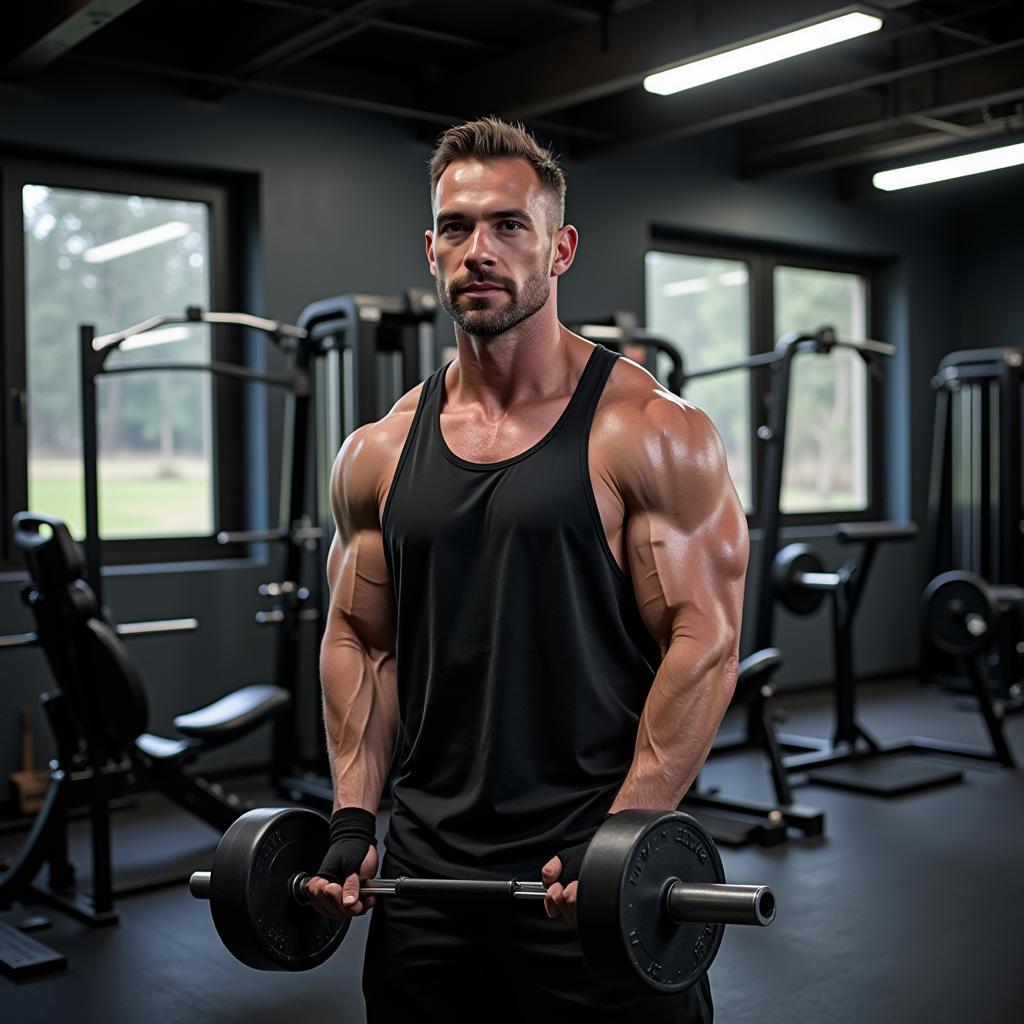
(361, 714)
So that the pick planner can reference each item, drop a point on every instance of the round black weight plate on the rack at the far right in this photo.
(960, 614)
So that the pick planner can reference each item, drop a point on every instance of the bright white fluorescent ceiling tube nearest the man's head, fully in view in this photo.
(763, 53)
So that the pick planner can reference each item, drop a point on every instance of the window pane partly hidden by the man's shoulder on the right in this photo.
(703, 306)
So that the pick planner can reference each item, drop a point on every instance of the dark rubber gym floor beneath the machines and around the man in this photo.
(909, 910)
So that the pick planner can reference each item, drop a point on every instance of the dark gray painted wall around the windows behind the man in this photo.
(343, 206)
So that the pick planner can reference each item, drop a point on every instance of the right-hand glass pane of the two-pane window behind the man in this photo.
(827, 430)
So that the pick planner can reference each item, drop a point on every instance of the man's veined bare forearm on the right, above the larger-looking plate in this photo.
(685, 709)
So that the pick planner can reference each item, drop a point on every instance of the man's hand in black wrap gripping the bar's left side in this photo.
(334, 890)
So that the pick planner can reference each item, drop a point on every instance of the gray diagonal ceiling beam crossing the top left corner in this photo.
(37, 34)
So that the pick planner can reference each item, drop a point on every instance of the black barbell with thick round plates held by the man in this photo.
(652, 907)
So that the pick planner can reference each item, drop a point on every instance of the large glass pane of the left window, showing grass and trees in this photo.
(114, 261)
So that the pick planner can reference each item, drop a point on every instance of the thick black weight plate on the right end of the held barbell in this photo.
(625, 930)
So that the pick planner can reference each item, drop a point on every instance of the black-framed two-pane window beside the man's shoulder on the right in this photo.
(721, 306)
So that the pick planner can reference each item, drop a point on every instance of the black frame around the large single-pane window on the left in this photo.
(230, 480)
